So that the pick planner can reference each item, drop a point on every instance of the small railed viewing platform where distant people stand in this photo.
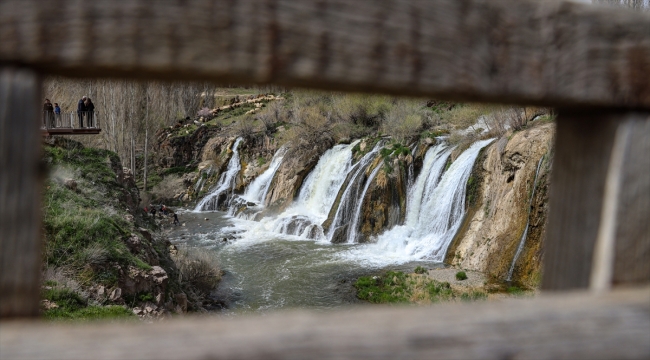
(71, 123)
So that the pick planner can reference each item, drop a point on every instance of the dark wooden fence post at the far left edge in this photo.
(20, 192)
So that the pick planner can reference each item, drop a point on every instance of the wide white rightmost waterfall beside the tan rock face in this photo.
(429, 230)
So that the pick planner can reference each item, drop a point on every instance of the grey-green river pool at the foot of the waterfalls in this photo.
(270, 272)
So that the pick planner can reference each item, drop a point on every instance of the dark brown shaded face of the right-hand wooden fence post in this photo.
(583, 146)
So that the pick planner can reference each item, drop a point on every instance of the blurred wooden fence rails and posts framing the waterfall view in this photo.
(592, 63)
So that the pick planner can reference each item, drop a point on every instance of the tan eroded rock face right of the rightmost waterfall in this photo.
(491, 232)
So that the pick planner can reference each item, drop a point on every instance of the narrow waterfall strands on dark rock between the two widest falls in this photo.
(351, 199)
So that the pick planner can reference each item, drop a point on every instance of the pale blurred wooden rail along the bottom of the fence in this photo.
(568, 326)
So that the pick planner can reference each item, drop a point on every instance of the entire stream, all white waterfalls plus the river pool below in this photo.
(287, 261)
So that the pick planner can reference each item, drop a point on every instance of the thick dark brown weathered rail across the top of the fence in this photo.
(545, 52)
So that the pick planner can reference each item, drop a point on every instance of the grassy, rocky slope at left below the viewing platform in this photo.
(101, 256)
